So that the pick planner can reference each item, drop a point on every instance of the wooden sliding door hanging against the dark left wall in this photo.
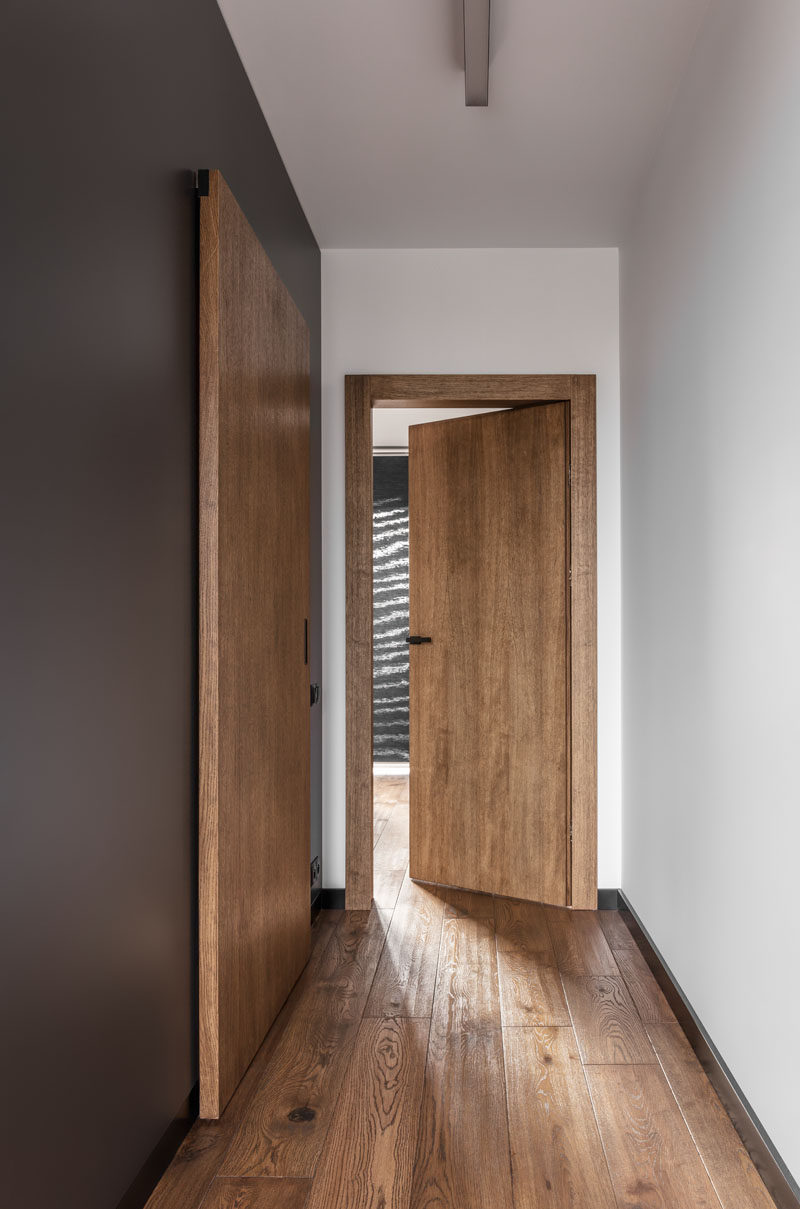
(254, 692)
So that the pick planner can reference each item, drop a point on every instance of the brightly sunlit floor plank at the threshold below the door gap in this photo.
(407, 977)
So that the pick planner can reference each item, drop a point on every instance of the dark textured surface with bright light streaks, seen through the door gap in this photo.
(390, 608)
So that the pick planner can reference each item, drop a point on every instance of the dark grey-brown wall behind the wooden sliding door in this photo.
(107, 108)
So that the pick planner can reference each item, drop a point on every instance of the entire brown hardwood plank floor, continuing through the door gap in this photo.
(455, 1051)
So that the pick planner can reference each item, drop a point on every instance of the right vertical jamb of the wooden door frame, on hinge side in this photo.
(583, 513)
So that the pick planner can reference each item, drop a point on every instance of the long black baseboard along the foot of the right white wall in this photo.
(779, 1181)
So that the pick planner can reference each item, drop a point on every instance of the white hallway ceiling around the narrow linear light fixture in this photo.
(366, 100)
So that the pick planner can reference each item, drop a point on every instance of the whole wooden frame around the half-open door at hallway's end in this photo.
(362, 395)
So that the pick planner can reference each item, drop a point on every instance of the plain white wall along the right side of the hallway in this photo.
(711, 510)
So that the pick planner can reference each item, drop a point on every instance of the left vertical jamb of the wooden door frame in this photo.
(358, 624)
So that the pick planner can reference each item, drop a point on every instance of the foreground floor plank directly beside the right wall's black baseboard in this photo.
(731, 1168)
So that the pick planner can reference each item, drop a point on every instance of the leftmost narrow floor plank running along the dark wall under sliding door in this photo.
(187, 1181)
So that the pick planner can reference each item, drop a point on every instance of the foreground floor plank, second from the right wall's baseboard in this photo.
(651, 1155)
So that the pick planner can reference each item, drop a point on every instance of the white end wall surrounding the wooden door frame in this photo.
(500, 311)
